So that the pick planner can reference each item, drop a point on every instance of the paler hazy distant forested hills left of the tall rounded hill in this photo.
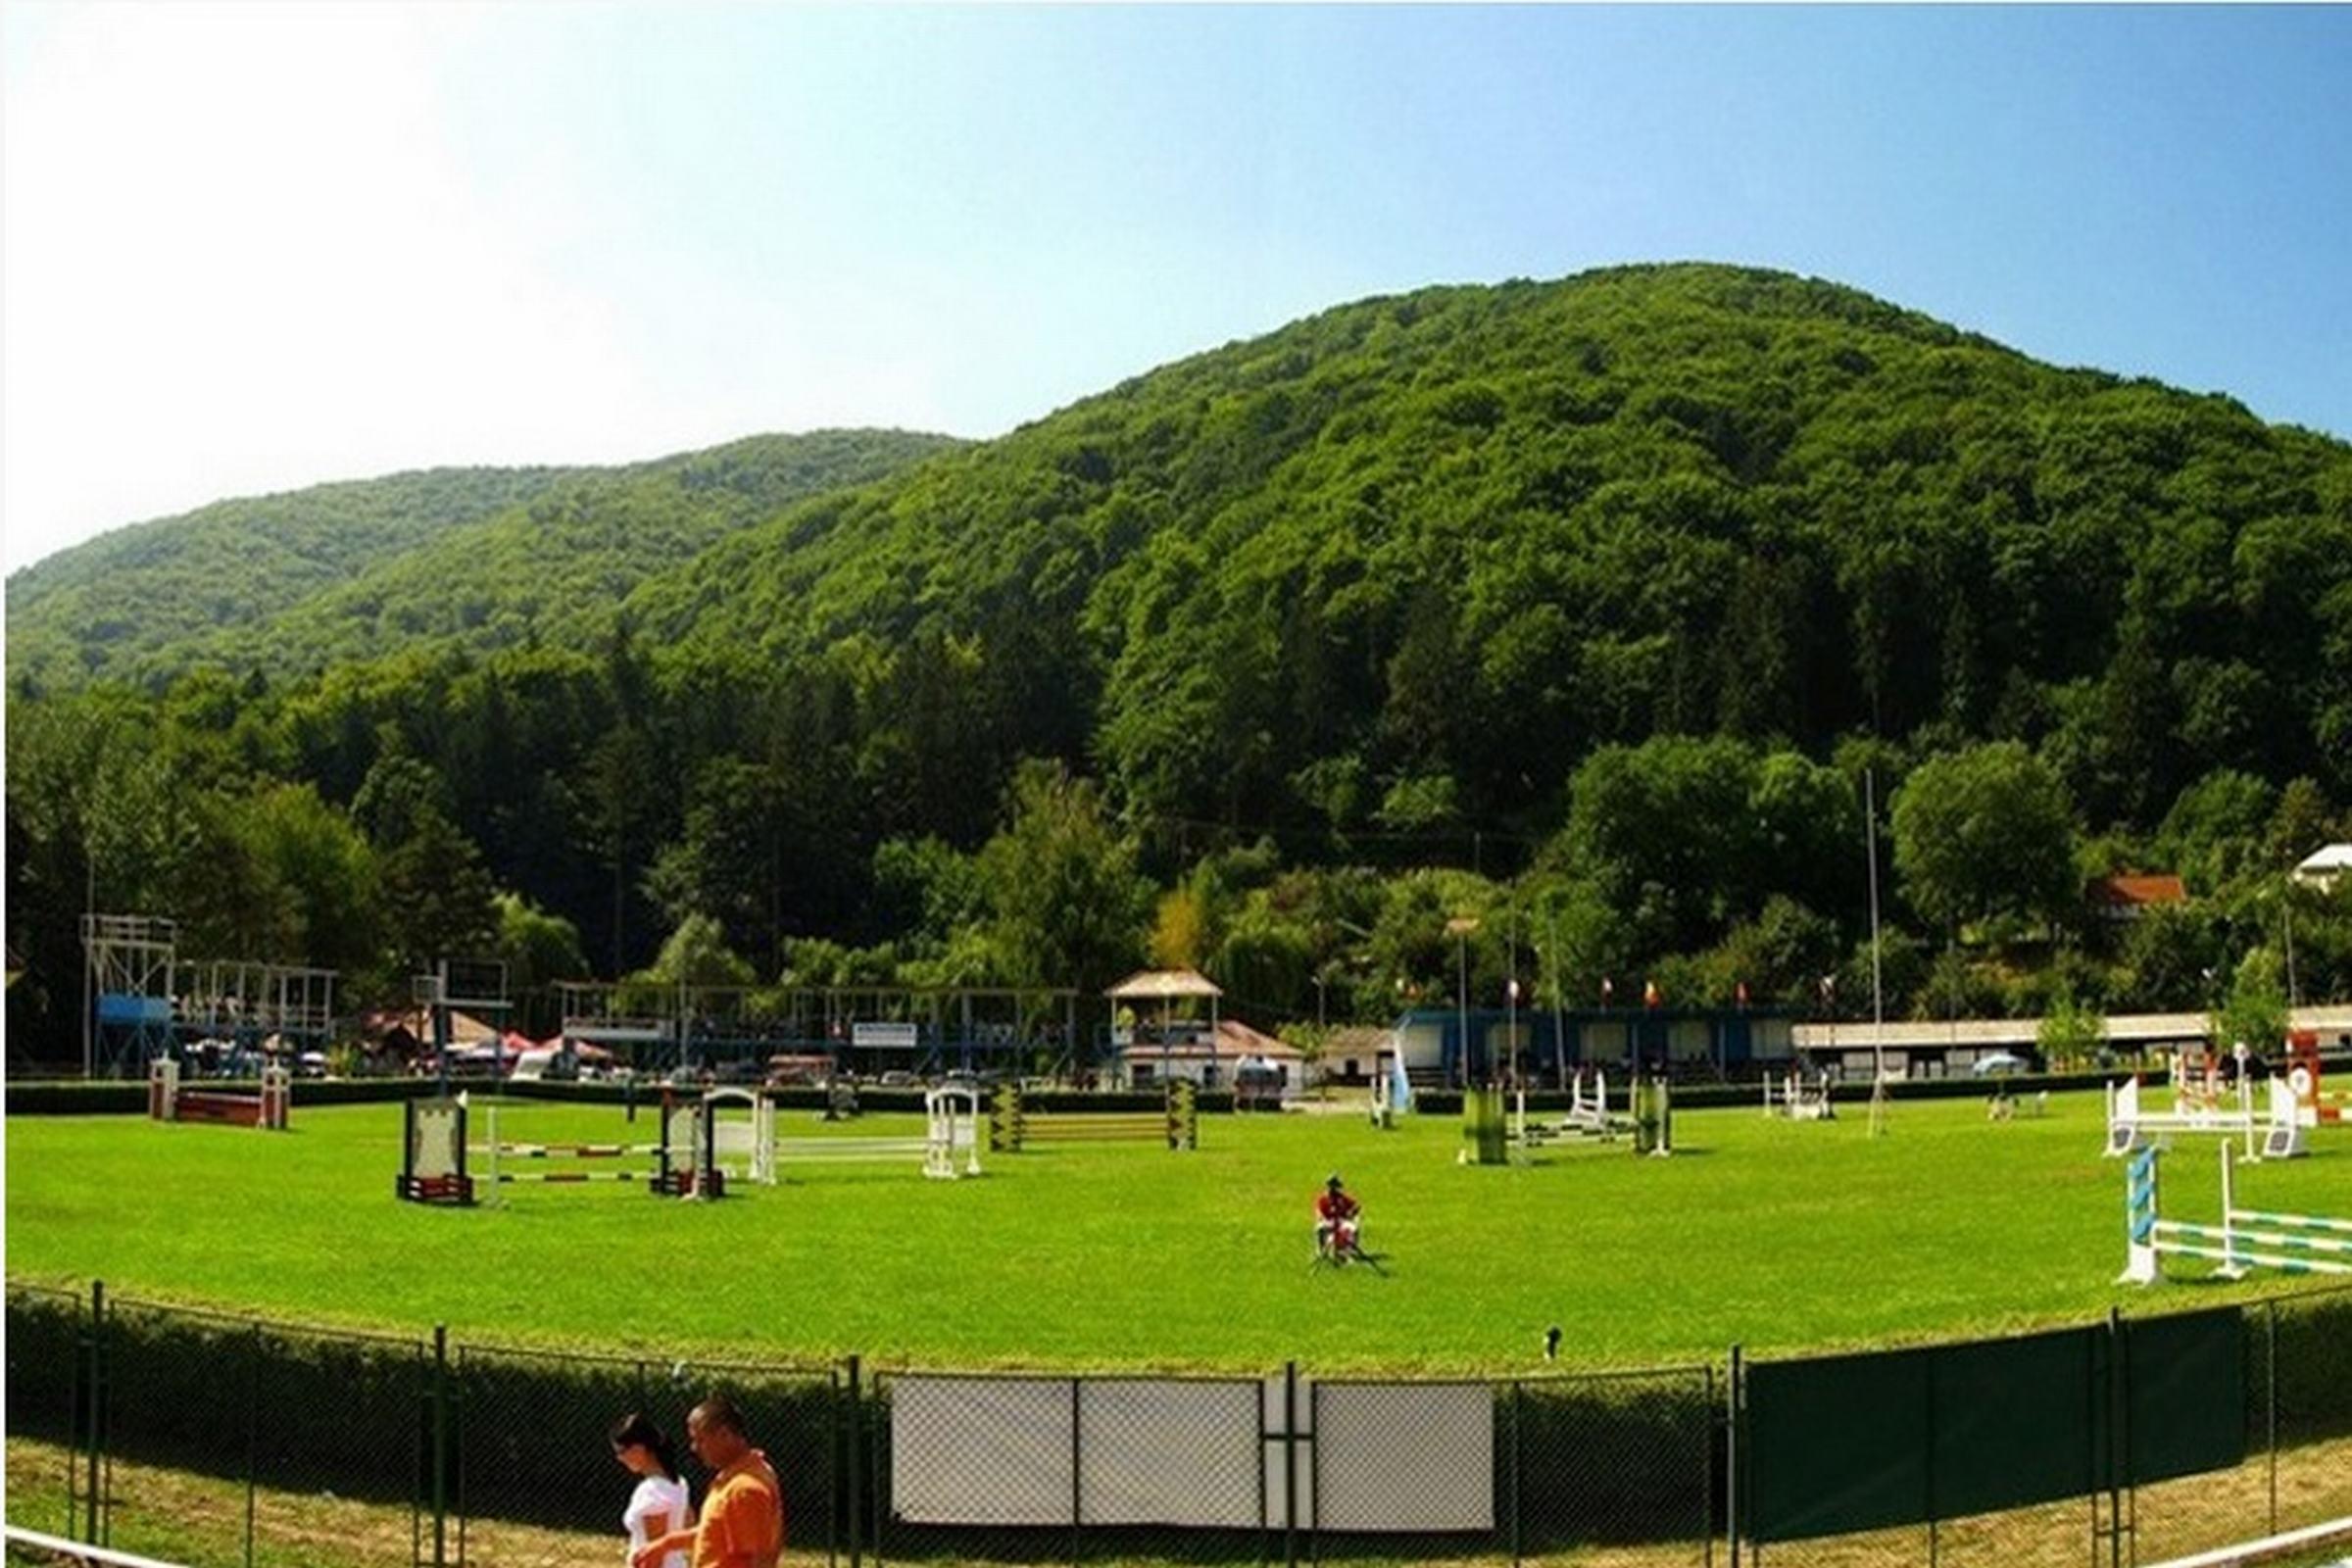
(345, 572)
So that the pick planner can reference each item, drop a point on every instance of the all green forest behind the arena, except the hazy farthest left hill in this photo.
(1579, 605)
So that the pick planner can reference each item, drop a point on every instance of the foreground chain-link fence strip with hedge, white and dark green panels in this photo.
(2116, 1442)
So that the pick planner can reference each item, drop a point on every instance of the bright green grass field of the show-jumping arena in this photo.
(1760, 1233)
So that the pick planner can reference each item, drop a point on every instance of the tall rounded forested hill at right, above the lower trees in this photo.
(1410, 561)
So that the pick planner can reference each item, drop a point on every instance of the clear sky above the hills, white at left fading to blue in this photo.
(265, 248)
